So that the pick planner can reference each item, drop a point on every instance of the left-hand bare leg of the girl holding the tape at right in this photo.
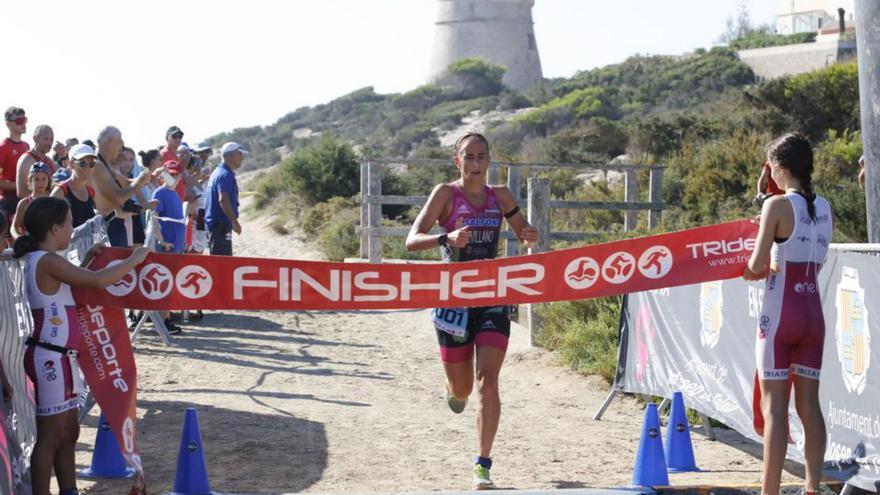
(774, 404)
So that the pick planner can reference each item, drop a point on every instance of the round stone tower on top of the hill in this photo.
(500, 31)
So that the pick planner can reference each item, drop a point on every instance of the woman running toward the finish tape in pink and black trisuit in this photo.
(470, 213)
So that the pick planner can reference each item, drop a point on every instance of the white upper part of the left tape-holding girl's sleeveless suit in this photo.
(55, 319)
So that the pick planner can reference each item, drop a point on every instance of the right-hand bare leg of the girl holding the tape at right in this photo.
(806, 401)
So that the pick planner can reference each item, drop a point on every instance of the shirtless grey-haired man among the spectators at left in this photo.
(113, 191)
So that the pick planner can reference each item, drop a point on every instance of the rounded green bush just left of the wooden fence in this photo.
(322, 171)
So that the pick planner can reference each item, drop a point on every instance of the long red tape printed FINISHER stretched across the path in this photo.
(177, 281)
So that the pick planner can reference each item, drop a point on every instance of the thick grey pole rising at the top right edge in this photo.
(868, 41)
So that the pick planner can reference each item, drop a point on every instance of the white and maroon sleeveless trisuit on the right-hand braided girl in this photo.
(791, 328)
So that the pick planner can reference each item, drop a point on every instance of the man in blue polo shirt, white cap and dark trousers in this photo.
(221, 203)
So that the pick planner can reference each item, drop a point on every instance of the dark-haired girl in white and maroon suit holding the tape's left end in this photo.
(50, 359)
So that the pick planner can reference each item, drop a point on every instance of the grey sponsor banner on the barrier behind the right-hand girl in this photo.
(700, 340)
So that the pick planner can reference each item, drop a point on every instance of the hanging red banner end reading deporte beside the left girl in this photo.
(107, 361)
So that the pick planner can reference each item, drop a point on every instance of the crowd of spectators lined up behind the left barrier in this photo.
(170, 199)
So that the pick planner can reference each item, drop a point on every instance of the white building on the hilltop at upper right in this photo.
(810, 16)
